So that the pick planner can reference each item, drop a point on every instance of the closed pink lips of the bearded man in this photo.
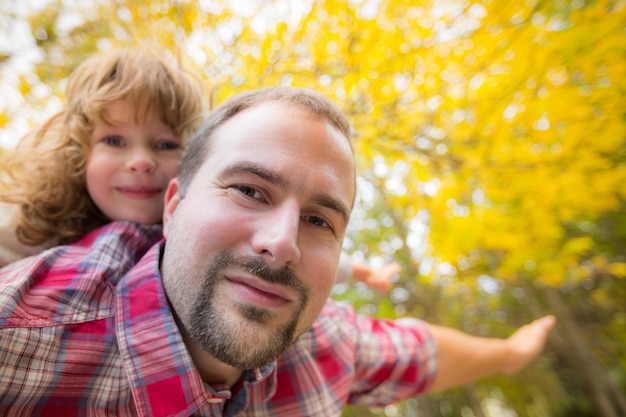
(260, 292)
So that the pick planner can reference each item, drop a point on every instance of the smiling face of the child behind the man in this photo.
(130, 164)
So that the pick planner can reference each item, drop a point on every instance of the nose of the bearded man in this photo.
(276, 235)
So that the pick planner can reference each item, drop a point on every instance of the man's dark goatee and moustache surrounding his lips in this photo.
(236, 341)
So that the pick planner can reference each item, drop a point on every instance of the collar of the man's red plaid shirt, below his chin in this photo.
(154, 353)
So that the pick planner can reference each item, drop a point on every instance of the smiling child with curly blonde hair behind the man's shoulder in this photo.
(107, 155)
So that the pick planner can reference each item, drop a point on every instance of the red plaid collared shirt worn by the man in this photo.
(85, 330)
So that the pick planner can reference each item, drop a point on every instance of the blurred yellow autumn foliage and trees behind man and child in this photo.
(491, 142)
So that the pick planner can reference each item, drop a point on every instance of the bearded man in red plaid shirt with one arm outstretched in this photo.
(230, 314)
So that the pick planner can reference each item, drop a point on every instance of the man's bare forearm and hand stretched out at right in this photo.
(464, 358)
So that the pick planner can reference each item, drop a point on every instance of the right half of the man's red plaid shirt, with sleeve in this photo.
(347, 358)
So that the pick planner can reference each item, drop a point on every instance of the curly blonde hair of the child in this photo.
(45, 173)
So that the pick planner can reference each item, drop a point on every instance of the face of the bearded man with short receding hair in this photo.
(252, 249)
